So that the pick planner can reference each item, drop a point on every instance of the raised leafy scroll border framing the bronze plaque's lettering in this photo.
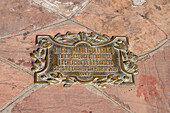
(40, 64)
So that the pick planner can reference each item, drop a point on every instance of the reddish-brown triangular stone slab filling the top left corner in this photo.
(23, 15)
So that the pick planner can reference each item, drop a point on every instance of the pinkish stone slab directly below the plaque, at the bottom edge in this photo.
(76, 99)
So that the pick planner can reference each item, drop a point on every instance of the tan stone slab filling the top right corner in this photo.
(157, 12)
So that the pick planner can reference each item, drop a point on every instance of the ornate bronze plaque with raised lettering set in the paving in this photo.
(83, 58)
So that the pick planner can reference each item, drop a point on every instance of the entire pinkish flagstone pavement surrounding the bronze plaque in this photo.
(146, 24)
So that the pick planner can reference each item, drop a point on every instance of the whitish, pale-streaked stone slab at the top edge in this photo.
(65, 7)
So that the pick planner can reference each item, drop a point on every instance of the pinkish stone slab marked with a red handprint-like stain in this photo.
(151, 93)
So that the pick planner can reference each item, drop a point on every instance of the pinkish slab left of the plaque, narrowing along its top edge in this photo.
(17, 50)
